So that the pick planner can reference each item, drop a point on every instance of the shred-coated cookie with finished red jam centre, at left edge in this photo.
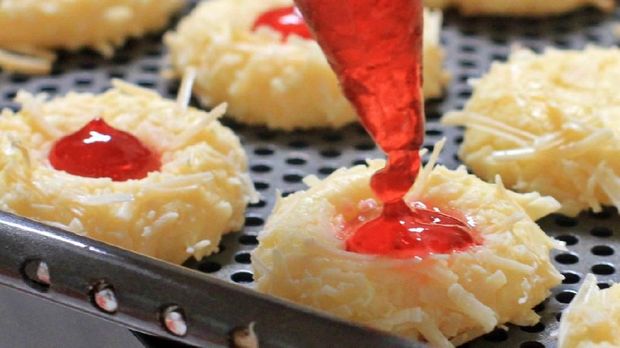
(196, 191)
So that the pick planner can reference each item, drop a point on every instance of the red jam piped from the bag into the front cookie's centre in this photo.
(375, 48)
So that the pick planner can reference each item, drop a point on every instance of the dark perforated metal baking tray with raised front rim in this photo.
(279, 161)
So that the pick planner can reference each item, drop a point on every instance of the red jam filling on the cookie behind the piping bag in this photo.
(286, 20)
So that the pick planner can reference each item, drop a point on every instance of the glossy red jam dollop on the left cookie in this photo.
(98, 150)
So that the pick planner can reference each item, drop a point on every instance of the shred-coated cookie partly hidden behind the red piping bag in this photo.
(267, 79)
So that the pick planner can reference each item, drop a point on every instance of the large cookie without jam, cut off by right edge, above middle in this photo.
(548, 123)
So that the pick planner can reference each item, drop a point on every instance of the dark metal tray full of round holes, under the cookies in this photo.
(280, 160)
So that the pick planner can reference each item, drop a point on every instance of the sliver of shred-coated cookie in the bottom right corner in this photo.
(593, 318)
